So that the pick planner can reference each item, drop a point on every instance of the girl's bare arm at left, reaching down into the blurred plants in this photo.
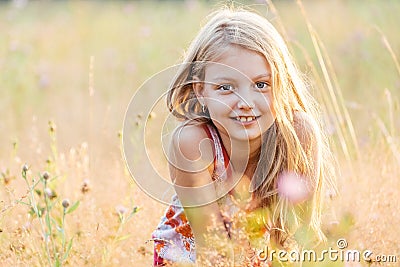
(191, 165)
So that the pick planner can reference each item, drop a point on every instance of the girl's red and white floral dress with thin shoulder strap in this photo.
(173, 237)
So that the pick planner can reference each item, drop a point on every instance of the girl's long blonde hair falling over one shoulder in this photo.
(282, 149)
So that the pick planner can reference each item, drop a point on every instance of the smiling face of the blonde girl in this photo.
(237, 92)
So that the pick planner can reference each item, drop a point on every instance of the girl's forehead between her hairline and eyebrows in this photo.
(237, 61)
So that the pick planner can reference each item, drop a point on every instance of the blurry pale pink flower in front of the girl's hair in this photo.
(293, 187)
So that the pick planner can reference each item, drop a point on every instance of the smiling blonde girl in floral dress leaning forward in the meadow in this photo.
(249, 134)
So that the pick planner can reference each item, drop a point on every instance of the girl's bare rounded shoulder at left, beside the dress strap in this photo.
(191, 150)
